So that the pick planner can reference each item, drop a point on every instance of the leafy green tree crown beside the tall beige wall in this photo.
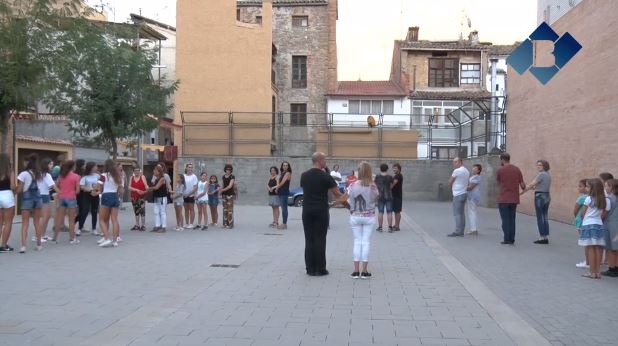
(111, 95)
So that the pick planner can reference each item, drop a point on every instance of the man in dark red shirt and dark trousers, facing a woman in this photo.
(510, 180)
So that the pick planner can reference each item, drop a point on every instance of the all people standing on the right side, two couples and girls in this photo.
(595, 211)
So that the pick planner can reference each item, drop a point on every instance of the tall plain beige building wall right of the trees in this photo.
(223, 65)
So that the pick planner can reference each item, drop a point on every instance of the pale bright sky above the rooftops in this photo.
(366, 29)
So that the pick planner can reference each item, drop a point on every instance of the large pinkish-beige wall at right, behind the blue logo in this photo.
(570, 121)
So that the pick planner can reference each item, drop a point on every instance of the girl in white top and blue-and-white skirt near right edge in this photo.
(592, 234)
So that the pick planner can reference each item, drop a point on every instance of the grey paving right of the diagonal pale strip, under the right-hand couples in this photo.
(540, 283)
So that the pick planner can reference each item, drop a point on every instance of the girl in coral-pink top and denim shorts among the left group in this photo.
(68, 184)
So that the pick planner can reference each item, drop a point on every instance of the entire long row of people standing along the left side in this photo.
(80, 188)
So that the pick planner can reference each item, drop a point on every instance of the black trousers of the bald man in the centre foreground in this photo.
(315, 224)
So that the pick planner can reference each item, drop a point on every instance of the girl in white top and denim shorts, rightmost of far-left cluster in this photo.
(110, 185)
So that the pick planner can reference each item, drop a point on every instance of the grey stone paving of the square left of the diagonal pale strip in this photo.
(158, 289)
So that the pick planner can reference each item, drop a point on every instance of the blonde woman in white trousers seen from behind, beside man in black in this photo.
(362, 198)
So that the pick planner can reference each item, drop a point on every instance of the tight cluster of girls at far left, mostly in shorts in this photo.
(79, 190)
